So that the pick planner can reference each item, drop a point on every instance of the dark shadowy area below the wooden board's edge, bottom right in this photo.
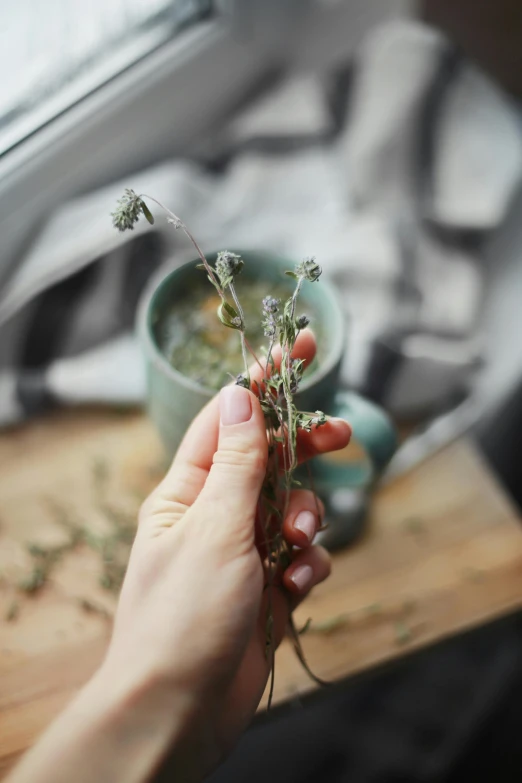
(453, 710)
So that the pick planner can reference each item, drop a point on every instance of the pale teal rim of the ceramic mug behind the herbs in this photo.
(335, 344)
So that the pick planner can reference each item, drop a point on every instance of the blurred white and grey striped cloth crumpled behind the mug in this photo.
(310, 169)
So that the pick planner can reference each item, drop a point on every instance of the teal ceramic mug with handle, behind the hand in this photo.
(173, 399)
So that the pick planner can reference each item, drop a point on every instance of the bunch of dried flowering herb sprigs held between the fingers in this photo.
(276, 392)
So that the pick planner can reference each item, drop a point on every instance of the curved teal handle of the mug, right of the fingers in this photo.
(373, 444)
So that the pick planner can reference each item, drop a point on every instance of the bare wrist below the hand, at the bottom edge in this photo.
(117, 728)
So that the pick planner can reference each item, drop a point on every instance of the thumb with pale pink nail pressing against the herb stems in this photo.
(234, 481)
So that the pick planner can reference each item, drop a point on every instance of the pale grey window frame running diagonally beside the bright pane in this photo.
(208, 67)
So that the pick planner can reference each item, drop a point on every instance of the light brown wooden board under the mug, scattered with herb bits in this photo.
(443, 553)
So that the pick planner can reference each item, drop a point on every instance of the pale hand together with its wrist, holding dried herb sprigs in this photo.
(186, 667)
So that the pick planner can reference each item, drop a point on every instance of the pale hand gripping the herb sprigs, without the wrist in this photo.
(192, 614)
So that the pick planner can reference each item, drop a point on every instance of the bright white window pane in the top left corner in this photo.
(54, 52)
